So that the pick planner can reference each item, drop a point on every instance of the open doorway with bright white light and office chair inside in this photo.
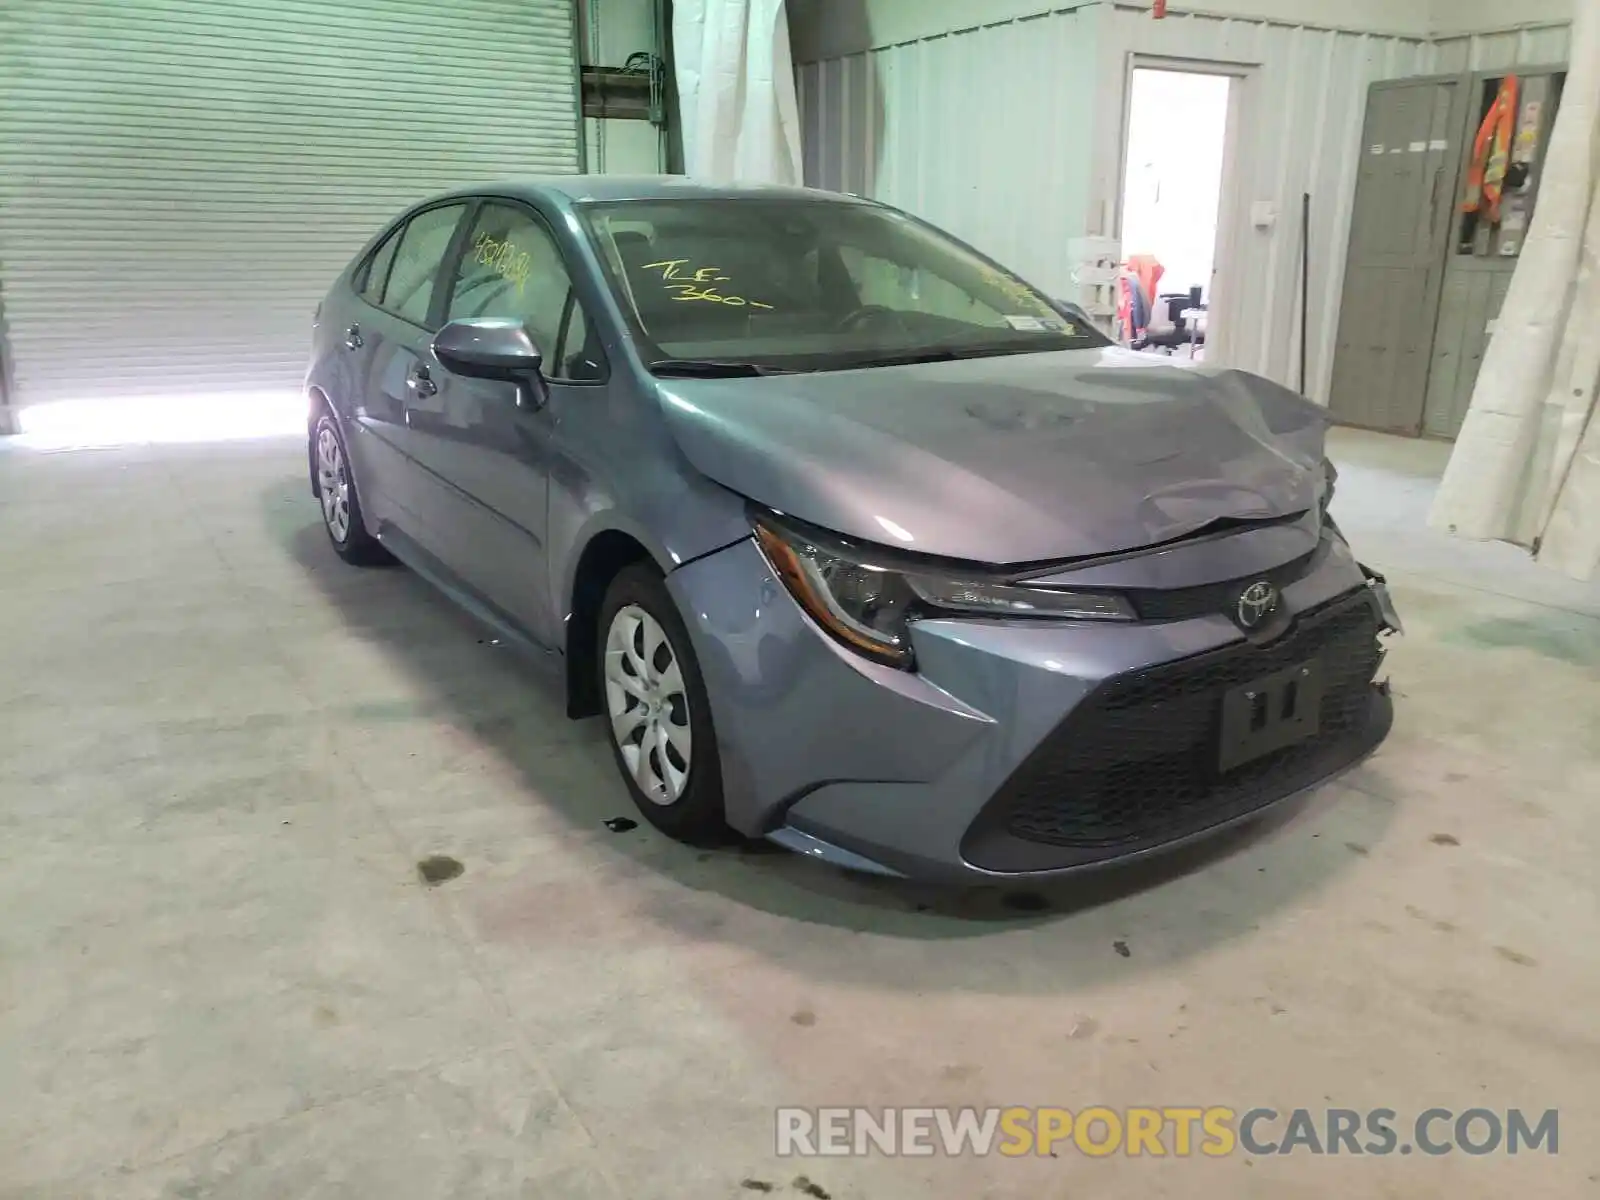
(1172, 206)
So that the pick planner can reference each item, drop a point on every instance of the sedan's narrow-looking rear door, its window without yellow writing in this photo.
(394, 334)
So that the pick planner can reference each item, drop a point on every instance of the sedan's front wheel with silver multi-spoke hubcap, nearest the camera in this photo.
(657, 708)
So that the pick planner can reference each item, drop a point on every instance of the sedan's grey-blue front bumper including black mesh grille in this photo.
(1017, 751)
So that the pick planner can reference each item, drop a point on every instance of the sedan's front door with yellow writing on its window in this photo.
(490, 442)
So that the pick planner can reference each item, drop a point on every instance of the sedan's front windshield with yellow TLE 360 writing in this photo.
(807, 286)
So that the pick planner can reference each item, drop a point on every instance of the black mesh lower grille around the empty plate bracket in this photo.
(1137, 762)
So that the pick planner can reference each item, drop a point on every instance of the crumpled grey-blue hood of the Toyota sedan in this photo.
(1012, 458)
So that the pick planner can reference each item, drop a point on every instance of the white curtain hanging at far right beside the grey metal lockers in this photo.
(1527, 465)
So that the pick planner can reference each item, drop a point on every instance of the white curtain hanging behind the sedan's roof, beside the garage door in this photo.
(737, 90)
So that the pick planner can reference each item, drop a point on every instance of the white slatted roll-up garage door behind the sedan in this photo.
(182, 180)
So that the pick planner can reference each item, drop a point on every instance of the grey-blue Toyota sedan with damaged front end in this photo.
(855, 540)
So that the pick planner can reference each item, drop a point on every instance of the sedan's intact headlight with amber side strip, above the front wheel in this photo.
(870, 606)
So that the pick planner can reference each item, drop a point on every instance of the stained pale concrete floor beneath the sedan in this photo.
(223, 754)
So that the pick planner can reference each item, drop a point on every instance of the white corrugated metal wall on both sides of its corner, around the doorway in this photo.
(1012, 138)
